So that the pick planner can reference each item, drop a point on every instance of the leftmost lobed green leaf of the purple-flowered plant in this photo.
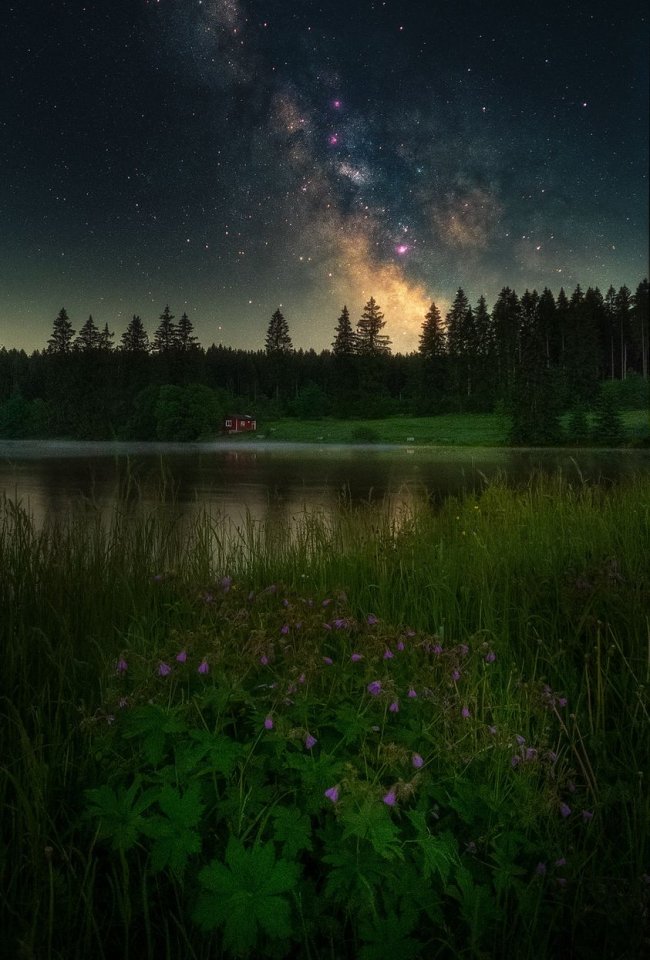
(119, 813)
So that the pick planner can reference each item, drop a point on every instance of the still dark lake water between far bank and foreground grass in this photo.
(273, 480)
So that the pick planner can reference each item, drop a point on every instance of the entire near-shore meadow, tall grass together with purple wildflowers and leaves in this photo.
(372, 735)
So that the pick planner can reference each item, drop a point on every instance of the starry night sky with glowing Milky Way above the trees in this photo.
(230, 156)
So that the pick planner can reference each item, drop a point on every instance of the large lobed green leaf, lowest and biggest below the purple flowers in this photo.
(245, 894)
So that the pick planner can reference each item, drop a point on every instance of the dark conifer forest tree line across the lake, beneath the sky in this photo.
(533, 356)
